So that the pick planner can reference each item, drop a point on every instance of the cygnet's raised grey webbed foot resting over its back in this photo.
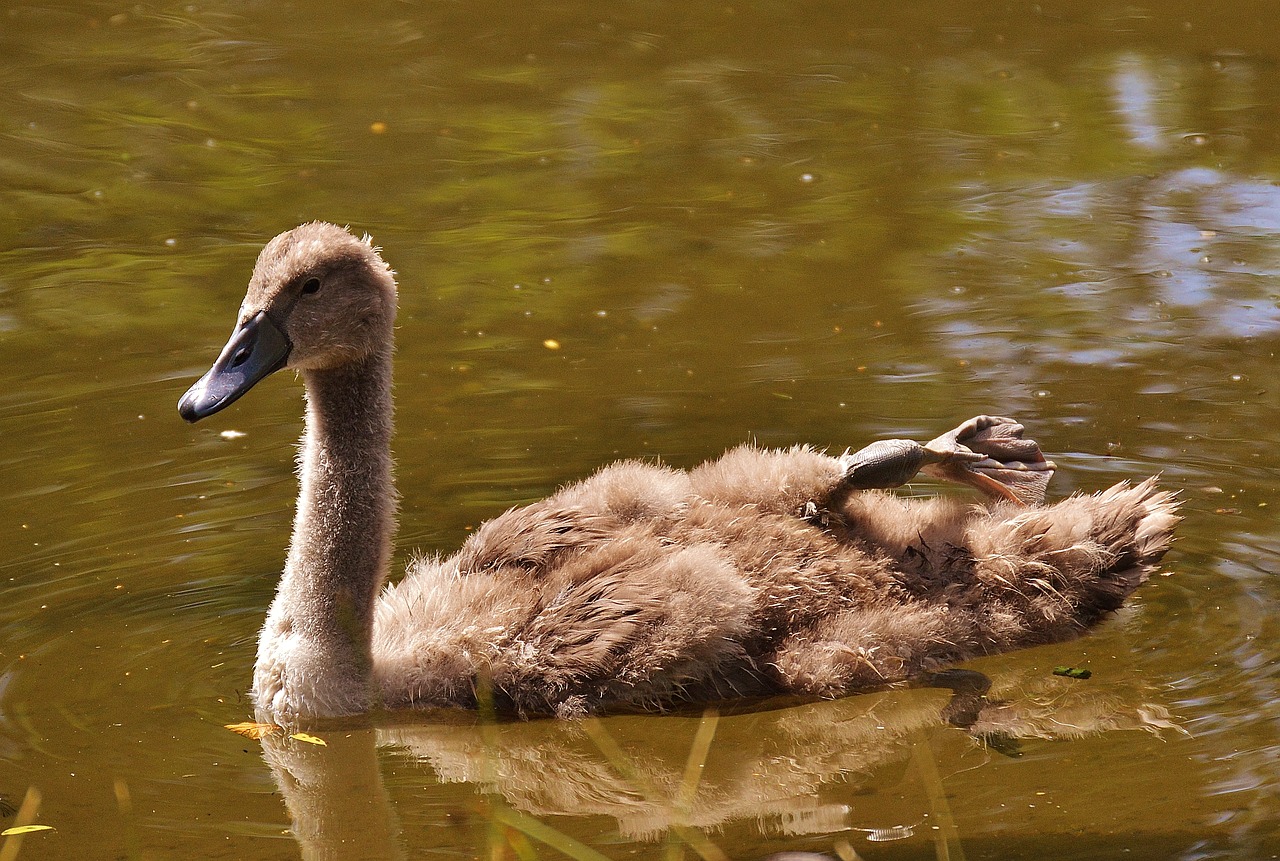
(986, 452)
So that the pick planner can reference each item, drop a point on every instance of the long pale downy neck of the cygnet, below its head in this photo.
(314, 654)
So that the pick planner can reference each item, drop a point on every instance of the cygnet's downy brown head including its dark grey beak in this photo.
(319, 299)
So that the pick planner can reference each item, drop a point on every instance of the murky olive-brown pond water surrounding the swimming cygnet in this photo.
(775, 222)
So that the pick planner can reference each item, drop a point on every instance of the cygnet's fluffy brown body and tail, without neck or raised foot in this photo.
(644, 588)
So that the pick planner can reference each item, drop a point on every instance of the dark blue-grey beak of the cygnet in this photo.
(257, 349)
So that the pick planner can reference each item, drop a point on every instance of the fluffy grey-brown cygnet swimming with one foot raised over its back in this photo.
(643, 587)
